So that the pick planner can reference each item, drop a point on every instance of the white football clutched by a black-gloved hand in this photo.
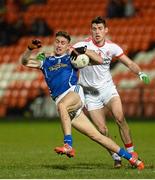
(81, 61)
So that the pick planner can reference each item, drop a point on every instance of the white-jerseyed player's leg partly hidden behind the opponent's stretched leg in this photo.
(98, 118)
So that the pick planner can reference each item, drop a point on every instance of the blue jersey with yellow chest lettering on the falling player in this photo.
(59, 74)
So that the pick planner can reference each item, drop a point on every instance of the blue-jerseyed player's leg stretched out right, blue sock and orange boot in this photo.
(82, 124)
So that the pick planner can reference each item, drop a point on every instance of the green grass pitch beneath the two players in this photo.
(26, 151)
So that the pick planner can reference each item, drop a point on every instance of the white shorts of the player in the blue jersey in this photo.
(79, 90)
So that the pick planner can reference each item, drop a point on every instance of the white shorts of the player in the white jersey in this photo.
(99, 101)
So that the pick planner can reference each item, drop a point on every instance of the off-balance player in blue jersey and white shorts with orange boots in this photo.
(61, 78)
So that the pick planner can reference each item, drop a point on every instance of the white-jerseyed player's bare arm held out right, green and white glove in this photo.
(135, 68)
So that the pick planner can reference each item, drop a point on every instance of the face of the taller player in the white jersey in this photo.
(99, 32)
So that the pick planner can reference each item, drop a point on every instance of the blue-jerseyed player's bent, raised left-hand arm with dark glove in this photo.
(26, 57)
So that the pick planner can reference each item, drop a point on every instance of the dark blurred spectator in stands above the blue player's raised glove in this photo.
(40, 28)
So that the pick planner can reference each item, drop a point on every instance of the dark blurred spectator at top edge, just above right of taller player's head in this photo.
(116, 8)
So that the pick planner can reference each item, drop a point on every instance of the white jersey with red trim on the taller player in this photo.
(98, 75)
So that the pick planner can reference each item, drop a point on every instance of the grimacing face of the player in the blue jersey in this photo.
(61, 45)
